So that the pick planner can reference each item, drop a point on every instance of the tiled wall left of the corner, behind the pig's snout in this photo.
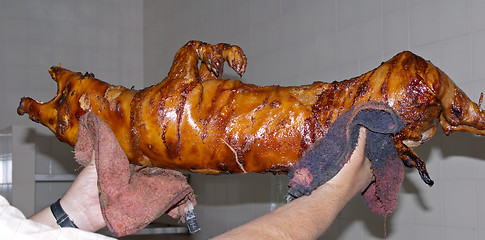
(103, 37)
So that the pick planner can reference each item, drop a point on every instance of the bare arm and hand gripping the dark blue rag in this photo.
(308, 217)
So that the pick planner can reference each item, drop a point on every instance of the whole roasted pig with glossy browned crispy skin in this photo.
(193, 120)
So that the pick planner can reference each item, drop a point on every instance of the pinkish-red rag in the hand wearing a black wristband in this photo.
(130, 196)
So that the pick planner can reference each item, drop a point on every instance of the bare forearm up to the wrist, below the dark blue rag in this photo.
(304, 218)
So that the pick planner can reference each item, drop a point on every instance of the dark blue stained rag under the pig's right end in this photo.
(324, 159)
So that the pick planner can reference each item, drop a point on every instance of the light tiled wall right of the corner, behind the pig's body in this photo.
(297, 42)
